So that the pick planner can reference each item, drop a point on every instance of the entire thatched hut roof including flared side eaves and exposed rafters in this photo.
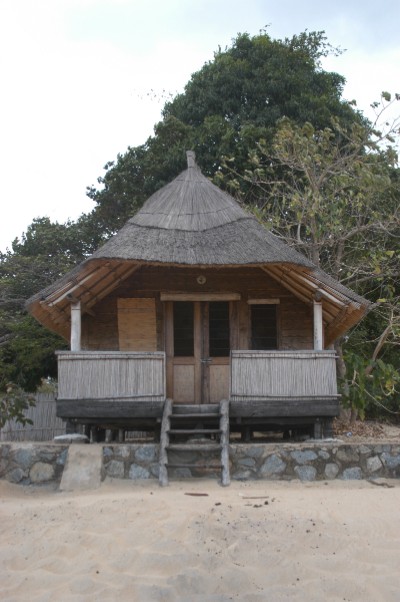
(192, 222)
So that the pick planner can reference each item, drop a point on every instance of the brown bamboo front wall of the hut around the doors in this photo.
(102, 331)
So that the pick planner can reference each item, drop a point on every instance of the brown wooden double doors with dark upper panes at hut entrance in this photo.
(198, 346)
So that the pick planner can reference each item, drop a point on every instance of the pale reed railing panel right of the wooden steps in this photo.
(262, 374)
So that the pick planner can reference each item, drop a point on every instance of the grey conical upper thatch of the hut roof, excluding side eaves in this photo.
(193, 222)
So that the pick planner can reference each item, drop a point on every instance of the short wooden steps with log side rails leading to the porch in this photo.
(202, 429)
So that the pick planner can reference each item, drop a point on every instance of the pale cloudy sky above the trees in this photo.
(81, 80)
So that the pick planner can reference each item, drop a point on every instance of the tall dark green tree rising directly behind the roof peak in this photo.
(226, 108)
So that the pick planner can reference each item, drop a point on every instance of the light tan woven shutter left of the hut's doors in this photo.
(137, 325)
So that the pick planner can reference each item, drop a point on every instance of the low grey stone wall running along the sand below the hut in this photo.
(36, 463)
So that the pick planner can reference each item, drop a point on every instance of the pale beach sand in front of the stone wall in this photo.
(252, 541)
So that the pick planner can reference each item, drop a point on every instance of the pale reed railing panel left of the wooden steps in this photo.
(111, 375)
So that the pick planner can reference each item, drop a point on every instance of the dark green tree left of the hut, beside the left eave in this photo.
(46, 251)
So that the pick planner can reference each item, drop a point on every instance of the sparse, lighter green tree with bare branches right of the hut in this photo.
(334, 194)
